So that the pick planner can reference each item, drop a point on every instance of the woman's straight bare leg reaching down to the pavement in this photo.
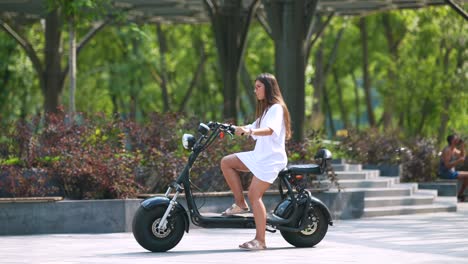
(256, 190)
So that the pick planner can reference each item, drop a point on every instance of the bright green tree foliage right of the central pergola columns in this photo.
(419, 78)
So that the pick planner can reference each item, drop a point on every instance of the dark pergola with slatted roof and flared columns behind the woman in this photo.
(292, 24)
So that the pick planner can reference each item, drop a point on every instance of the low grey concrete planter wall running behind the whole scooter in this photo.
(109, 216)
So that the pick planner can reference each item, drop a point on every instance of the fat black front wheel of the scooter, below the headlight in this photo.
(146, 232)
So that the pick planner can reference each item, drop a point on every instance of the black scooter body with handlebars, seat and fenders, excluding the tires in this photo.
(302, 200)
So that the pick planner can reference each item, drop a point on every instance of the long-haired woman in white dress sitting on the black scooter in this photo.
(270, 130)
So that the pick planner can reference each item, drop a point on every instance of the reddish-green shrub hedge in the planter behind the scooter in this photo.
(96, 157)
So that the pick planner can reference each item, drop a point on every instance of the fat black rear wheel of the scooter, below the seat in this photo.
(317, 227)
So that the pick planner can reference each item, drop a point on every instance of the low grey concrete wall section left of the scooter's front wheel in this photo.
(83, 216)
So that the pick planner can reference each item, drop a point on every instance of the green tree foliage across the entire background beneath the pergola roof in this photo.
(417, 68)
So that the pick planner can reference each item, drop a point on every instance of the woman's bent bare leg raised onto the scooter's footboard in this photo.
(230, 165)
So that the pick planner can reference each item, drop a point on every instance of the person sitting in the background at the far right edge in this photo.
(451, 157)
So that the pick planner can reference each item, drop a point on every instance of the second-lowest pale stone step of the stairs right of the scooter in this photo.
(397, 201)
